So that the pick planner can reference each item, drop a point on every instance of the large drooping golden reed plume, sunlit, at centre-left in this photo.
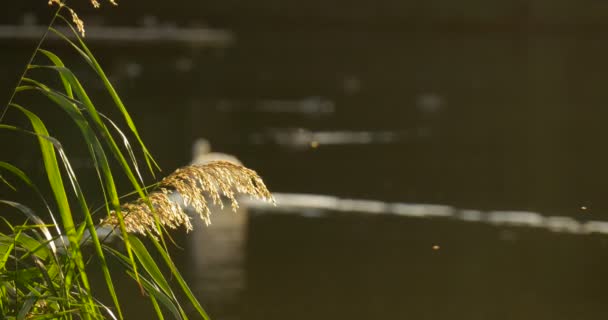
(198, 186)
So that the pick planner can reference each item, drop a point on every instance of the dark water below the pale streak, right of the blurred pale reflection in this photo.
(386, 268)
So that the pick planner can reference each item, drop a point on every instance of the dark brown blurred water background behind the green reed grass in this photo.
(431, 159)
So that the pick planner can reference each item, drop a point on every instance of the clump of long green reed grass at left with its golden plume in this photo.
(43, 267)
